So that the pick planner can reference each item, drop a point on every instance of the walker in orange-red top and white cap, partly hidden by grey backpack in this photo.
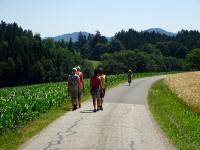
(81, 84)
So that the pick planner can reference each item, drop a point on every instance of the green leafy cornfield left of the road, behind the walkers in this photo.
(19, 105)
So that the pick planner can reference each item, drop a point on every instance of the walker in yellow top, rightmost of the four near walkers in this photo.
(104, 80)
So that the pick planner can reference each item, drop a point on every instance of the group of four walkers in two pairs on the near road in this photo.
(97, 88)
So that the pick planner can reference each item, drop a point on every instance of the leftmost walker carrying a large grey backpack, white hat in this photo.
(73, 88)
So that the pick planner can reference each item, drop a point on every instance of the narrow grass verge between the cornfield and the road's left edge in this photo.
(12, 139)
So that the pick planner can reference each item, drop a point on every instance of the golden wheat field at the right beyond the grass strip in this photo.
(187, 87)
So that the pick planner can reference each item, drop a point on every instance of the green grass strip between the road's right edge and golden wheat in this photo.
(178, 121)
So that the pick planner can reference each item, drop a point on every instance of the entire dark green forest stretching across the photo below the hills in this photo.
(26, 58)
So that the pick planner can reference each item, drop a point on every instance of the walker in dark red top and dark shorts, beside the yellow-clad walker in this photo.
(95, 85)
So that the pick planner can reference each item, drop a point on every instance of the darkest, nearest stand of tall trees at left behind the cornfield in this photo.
(26, 58)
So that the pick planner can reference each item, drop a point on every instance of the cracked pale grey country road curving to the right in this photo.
(124, 124)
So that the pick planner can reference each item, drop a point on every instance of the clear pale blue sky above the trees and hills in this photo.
(56, 17)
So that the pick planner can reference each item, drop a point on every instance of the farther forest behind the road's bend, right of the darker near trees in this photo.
(142, 51)
